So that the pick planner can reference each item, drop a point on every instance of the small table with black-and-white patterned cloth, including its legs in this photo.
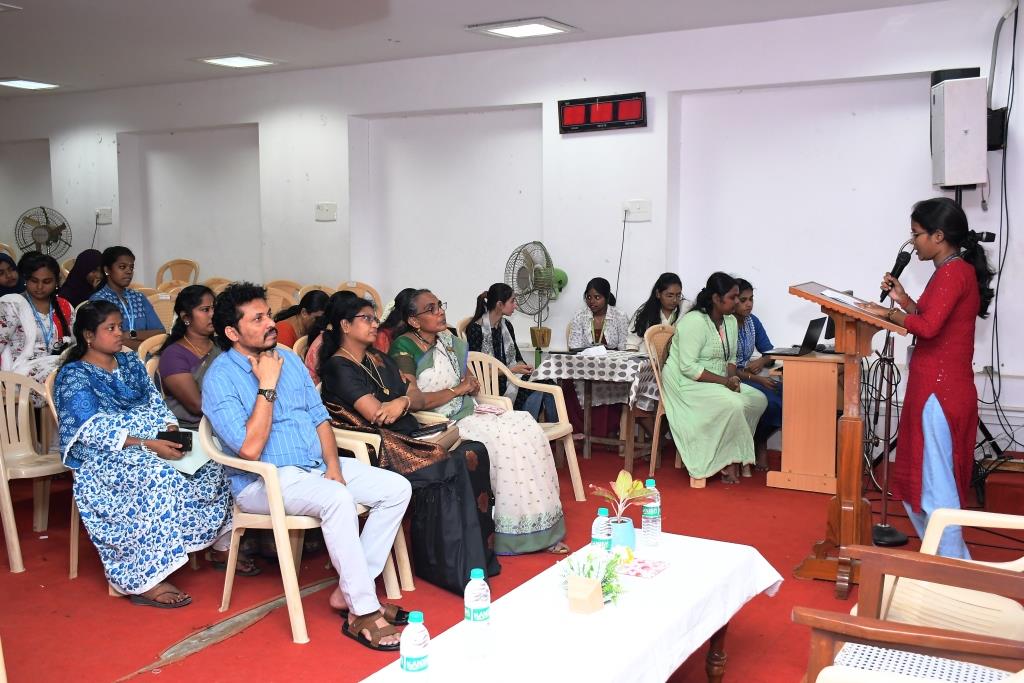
(617, 377)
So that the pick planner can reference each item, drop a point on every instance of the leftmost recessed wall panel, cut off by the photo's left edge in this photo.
(25, 183)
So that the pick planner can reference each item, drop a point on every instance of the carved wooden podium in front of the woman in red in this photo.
(849, 514)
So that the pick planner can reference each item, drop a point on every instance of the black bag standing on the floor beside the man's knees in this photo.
(446, 527)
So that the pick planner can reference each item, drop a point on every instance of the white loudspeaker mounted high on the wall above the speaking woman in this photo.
(960, 133)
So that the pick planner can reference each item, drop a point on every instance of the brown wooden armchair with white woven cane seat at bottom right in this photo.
(843, 638)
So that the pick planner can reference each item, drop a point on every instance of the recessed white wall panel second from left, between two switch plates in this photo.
(194, 193)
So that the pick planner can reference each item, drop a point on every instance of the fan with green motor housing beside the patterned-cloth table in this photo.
(536, 282)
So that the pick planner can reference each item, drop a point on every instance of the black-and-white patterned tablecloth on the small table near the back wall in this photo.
(618, 377)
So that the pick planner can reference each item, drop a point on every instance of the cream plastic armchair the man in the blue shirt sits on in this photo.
(288, 535)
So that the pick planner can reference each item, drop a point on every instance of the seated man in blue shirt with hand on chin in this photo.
(263, 405)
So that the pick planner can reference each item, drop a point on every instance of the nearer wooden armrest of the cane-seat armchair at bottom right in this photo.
(926, 641)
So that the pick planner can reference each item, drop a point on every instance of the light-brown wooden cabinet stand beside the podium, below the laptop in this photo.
(810, 400)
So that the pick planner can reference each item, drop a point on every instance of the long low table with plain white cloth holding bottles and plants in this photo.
(655, 626)
